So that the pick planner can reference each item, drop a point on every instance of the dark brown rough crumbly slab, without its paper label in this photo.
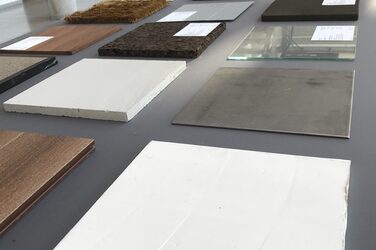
(158, 40)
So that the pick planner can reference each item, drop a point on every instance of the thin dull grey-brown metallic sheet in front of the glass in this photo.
(301, 101)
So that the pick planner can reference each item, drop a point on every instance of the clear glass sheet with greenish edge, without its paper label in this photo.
(291, 42)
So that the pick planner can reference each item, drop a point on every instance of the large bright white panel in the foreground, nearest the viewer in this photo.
(176, 196)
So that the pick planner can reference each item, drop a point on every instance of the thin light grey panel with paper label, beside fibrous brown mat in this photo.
(220, 11)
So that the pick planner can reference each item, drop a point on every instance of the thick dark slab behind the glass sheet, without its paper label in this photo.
(312, 10)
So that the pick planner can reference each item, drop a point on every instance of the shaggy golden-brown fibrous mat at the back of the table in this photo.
(129, 11)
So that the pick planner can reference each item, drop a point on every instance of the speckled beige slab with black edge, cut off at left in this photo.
(16, 69)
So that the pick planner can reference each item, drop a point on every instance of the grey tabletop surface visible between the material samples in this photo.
(117, 143)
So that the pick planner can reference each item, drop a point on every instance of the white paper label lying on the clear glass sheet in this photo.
(333, 33)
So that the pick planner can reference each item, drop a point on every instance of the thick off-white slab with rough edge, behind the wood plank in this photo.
(105, 89)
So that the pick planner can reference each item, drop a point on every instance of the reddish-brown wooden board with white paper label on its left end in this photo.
(61, 40)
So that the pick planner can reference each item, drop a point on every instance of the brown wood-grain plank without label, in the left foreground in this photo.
(30, 165)
